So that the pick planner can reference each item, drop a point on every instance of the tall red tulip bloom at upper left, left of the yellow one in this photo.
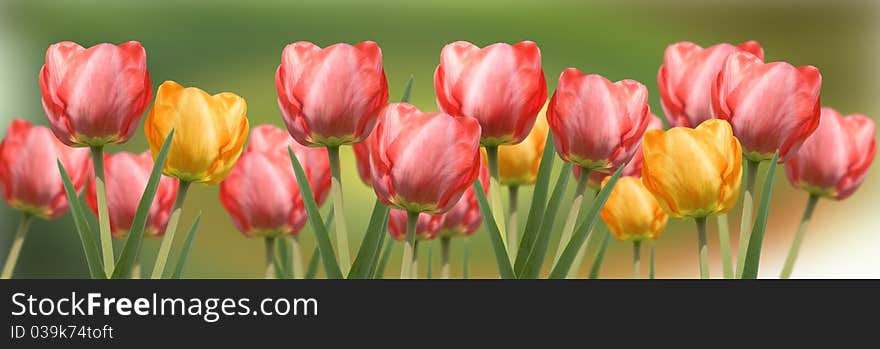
(95, 96)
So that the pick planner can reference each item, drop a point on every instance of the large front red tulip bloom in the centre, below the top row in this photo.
(423, 162)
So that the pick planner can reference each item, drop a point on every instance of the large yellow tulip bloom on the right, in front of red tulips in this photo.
(693, 173)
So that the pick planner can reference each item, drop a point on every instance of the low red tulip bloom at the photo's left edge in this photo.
(29, 172)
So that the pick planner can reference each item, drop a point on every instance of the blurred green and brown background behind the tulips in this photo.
(236, 46)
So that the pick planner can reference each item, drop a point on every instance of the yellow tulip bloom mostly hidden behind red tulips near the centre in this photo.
(518, 163)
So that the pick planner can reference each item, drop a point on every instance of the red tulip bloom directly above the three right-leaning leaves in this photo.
(597, 124)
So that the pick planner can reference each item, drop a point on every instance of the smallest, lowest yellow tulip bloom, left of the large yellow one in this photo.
(632, 213)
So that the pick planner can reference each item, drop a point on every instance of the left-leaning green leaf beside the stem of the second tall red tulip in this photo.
(331, 267)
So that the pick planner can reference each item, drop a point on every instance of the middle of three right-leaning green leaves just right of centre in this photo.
(535, 259)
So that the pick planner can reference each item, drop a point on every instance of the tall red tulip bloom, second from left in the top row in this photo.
(331, 96)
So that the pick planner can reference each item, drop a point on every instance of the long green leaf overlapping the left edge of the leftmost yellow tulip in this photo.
(132, 247)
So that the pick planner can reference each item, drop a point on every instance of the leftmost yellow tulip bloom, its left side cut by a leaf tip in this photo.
(209, 131)
